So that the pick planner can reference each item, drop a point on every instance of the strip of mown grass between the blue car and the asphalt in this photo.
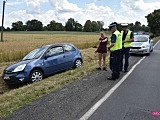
(16, 98)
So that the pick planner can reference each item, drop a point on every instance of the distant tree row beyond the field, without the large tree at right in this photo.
(70, 25)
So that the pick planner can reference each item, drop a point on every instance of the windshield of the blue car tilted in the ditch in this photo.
(34, 54)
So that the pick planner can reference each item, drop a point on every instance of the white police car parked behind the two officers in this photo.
(142, 44)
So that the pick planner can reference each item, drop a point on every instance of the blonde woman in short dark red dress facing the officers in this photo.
(102, 51)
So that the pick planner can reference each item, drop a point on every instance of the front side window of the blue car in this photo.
(55, 51)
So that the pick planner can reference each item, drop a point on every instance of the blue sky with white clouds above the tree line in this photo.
(120, 11)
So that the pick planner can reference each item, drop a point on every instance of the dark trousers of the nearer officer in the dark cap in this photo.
(115, 63)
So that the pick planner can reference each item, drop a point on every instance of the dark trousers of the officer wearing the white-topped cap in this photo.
(124, 52)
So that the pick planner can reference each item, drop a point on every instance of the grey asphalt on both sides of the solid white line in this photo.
(137, 95)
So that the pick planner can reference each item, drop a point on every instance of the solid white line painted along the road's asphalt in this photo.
(109, 93)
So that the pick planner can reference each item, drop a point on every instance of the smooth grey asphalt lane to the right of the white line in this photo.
(137, 96)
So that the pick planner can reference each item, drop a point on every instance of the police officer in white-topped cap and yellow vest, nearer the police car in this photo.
(127, 38)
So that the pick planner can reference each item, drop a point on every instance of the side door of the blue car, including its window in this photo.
(54, 60)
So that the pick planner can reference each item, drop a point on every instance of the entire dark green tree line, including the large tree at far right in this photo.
(153, 20)
